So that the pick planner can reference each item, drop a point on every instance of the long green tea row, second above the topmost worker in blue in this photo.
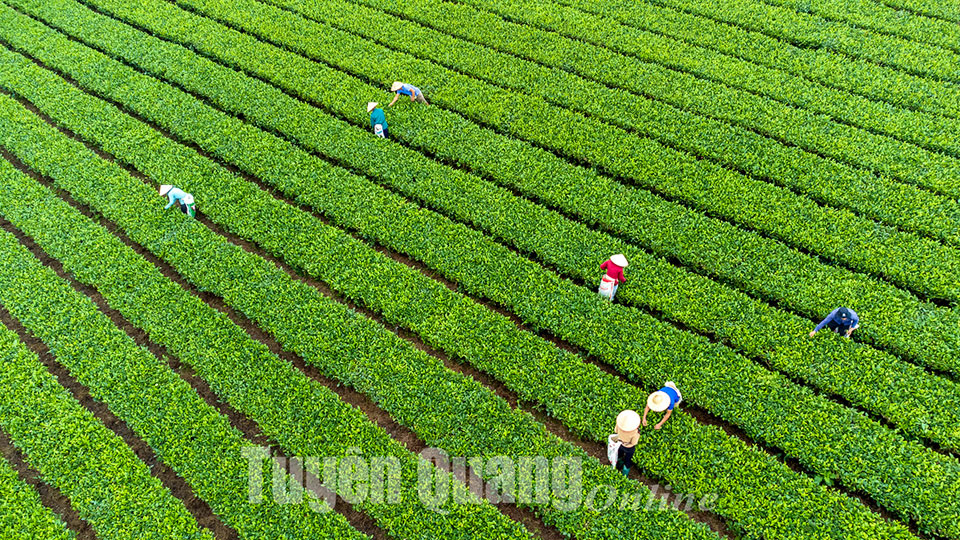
(875, 197)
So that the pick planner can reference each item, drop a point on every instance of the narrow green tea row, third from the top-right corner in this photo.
(807, 31)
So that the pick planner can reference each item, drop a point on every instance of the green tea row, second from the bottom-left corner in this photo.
(110, 488)
